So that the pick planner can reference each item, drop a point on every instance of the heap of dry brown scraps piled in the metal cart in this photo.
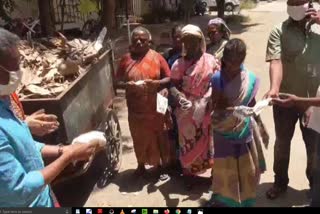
(51, 65)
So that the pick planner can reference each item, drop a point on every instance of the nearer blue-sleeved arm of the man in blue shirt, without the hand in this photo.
(24, 186)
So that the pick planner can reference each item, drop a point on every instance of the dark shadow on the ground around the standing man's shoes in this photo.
(291, 198)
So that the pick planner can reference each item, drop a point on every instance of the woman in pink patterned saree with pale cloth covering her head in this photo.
(190, 79)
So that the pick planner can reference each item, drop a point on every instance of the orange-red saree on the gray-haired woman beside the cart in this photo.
(148, 128)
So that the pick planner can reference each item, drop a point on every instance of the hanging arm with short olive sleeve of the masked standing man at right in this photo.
(274, 57)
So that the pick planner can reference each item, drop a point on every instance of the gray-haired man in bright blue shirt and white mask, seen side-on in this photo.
(24, 180)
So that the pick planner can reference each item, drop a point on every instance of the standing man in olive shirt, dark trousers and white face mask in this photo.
(293, 52)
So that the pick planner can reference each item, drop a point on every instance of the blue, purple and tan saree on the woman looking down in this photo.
(238, 156)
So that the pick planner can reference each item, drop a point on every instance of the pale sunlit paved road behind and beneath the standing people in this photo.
(124, 191)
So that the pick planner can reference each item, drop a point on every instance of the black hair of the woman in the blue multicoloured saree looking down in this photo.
(235, 48)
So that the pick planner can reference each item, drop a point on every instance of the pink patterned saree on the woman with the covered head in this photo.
(194, 126)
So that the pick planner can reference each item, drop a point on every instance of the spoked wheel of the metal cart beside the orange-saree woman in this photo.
(111, 126)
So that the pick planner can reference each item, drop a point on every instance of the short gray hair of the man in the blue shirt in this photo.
(8, 40)
